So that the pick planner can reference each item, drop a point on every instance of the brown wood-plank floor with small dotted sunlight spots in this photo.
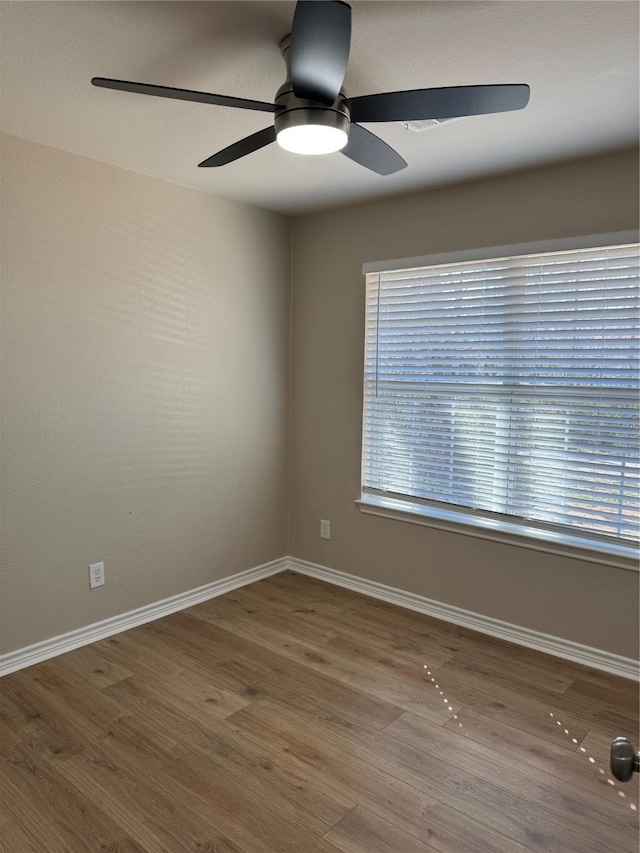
(292, 715)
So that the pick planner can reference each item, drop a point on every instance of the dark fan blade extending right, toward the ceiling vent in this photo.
(451, 102)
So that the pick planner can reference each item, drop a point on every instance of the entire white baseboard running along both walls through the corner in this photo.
(586, 655)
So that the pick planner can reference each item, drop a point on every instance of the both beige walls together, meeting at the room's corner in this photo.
(145, 391)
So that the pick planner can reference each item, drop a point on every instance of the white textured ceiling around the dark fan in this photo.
(580, 59)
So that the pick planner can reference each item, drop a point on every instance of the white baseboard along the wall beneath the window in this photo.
(576, 652)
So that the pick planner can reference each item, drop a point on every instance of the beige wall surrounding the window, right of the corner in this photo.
(580, 601)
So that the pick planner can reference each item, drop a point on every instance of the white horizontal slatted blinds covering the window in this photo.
(508, 388)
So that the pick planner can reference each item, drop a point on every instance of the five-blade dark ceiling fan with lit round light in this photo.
(314, 115)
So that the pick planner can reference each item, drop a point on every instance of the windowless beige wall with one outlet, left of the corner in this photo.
(144, 389)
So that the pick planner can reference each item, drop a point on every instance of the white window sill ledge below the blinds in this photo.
(519, 535)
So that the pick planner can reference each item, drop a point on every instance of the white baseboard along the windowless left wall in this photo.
(99, 630)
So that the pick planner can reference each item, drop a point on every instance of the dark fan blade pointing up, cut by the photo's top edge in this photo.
(320, 42)
